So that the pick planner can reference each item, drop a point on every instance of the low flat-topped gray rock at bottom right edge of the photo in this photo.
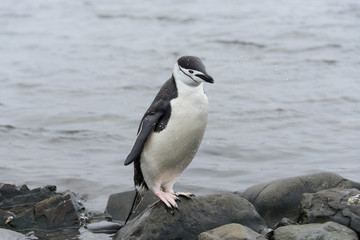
(325, 231)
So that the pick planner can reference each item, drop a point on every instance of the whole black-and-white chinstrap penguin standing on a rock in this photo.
(170, 132)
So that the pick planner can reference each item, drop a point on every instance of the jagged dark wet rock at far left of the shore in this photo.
(37, 209)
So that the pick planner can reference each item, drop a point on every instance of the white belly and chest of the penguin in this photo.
(166, 154)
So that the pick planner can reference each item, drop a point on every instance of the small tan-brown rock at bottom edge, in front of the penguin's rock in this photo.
(233, 231)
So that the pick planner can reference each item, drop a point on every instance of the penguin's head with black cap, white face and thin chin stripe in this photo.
(191, 71)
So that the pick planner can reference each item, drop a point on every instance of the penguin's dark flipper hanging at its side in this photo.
(146, 126)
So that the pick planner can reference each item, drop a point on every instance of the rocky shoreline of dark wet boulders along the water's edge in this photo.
(320, 206)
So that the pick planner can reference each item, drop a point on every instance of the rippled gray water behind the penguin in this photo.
(77, 76)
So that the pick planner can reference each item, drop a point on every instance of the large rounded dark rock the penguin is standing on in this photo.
(196, 215)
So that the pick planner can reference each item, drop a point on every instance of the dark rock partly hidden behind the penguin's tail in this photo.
(119, 204)
